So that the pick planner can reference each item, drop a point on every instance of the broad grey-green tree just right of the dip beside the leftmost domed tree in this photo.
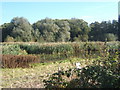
(47, 29)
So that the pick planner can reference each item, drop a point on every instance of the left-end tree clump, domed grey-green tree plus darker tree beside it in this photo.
(19, 29)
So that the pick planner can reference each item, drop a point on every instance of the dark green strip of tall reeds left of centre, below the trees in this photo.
(50, 49)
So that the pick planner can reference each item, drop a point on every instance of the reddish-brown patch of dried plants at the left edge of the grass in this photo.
(14, 61)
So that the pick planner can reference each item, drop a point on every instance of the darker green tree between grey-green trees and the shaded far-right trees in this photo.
(79, 30)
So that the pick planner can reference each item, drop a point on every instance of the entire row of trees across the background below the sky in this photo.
(58, 30)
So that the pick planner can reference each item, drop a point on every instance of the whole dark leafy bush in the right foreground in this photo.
(103, 73)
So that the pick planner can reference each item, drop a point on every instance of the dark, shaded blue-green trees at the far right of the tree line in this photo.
(104, 31)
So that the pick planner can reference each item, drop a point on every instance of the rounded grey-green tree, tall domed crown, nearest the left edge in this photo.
(22, 30)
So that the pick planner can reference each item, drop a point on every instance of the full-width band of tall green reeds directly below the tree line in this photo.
(59, 51)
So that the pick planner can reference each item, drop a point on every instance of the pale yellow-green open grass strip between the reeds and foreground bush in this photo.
(33, 77)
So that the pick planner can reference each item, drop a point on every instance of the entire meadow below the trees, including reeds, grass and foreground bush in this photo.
(51, 65)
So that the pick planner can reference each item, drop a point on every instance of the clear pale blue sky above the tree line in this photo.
(34, 11)
